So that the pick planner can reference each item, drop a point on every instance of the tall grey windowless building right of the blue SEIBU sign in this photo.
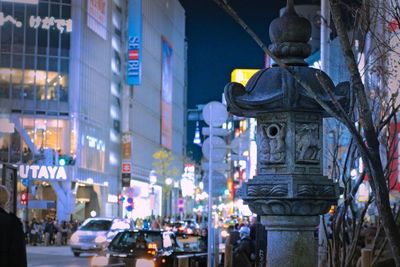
(154, 109)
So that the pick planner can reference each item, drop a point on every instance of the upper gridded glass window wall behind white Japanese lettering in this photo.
(34, 60)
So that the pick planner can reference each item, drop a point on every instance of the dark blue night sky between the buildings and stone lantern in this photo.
(217, 45)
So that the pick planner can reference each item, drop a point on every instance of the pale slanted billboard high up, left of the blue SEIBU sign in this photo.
(97, 17)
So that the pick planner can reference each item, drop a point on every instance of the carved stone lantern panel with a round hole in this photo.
(272, 147)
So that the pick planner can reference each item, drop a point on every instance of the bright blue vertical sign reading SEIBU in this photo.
(134, 56)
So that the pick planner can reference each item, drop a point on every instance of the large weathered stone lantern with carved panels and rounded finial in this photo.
(289, 191)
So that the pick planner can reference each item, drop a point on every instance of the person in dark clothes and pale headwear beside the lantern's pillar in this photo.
(243, 253)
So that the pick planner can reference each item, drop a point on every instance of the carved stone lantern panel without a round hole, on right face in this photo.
(308, 143)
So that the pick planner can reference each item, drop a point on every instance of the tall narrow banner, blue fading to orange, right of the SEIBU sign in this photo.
(166, 93)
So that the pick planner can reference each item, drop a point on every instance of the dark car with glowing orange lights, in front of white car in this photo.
(144, 248)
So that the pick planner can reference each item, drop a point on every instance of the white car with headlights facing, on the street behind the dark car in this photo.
(96, 233)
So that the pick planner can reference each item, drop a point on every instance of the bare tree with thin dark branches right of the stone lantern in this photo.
(372, 106)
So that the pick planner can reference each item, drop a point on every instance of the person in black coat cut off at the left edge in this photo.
(12, 238)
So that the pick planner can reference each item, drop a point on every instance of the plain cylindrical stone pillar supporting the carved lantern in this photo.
(291, 240)
